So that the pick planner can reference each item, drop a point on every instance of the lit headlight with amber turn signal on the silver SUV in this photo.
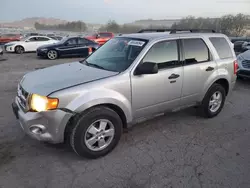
(42, 103)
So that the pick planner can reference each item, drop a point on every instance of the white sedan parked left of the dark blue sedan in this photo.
(29, 44)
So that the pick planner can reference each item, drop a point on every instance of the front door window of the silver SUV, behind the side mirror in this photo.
(165, 54)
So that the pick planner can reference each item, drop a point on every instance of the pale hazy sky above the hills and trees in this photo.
(123, 11)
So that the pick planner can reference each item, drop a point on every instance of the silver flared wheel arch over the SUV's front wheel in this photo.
(101, 96)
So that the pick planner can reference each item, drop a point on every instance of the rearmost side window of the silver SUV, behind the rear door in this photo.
(222, 47)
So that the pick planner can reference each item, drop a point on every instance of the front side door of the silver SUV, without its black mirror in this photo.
(156, 93)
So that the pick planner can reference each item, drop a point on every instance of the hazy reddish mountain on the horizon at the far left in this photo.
(30, 22)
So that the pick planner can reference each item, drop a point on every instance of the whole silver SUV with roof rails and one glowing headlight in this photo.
(130, 78)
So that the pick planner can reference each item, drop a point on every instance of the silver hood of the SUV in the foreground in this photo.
(48, 80)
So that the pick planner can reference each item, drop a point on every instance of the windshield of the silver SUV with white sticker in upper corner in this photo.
(117, 54)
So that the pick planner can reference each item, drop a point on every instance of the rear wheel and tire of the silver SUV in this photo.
(212, 98)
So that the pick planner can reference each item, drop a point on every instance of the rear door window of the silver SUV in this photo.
(195, 51)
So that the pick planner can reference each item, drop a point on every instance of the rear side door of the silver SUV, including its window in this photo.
(198, 68)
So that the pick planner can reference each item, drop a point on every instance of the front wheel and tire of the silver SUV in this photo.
(86, 141)
